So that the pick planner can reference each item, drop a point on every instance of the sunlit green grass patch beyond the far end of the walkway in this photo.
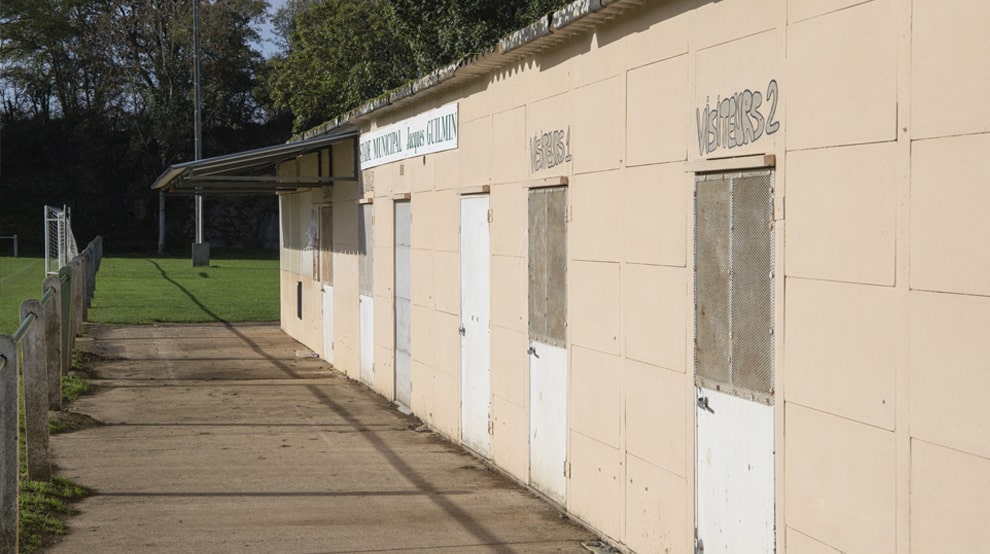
(151, 290)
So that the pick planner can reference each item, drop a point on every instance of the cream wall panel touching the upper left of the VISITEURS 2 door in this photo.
(654, 214)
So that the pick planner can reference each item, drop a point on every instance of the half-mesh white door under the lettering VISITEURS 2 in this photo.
(733, 362)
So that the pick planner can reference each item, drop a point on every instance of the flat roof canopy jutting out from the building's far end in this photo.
(251, 172)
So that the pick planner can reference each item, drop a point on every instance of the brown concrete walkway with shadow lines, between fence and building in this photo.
(220, 438)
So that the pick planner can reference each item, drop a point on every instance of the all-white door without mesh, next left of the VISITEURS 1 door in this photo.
(475, 326)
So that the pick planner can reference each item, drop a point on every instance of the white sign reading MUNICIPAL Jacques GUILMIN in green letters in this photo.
(429, 132)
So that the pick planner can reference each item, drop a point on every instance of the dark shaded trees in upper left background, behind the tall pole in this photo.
(98, 100)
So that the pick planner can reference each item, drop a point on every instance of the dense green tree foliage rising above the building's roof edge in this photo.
(342, 53)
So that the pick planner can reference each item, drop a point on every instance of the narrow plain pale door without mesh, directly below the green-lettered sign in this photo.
(403, 308)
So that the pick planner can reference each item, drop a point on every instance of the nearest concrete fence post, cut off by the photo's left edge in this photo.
(8, 445)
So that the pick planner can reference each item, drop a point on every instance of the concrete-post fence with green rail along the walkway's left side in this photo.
(45, 340)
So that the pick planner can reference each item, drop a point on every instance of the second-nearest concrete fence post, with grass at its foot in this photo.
(34, 372)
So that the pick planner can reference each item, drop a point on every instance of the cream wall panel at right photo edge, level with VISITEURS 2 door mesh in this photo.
(949, 223)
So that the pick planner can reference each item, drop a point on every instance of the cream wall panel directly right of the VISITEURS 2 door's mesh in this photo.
(842, 213)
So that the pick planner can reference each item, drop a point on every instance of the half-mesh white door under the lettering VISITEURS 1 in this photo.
(547, 340)
